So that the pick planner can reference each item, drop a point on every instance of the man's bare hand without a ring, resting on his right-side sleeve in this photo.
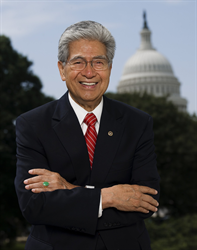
(129, 198)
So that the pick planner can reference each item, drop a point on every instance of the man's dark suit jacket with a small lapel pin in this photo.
(50, 137)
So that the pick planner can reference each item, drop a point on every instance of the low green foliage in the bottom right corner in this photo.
(173, 234)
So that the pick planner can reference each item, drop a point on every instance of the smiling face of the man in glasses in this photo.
(86, 87)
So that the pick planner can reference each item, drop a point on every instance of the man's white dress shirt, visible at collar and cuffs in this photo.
(81, 114)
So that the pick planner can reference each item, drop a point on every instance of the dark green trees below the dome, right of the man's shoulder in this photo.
(176, 149)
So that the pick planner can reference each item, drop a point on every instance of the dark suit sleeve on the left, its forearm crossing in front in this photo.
(75, 209)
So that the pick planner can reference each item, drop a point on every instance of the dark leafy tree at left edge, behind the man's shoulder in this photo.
(20, 91)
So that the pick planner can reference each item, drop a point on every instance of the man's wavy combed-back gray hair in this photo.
(88, 30)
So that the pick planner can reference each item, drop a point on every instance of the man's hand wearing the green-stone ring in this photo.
(35, 184)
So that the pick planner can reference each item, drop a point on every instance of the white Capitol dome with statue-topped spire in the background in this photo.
(149, 71)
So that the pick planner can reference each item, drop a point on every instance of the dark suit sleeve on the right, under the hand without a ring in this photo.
(144, 172)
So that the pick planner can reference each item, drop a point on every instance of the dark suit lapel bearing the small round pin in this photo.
(108, 139)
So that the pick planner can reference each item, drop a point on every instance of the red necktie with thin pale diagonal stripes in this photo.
(90, 135)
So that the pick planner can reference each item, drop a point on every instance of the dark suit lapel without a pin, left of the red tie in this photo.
(68, 130)
